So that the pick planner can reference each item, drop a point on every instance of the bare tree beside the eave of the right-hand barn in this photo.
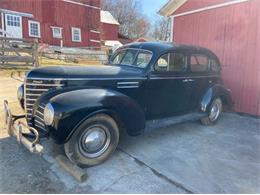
(161, 30)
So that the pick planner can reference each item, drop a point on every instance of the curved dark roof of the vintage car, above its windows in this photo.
(163, 47)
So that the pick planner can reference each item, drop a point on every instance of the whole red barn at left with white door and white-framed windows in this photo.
(71, 23)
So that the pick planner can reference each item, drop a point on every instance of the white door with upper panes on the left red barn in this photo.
(13, 26)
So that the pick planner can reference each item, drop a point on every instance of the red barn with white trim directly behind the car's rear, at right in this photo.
(230, 28)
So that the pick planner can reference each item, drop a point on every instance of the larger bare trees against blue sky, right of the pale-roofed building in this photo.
(128, 13)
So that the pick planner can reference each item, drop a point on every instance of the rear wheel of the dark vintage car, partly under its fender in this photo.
(214, 113)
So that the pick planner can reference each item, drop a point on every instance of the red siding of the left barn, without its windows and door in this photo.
(61, 14)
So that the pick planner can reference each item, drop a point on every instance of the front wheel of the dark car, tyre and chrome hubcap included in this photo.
(93, 141)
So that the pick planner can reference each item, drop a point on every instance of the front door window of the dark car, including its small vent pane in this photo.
(172, 62)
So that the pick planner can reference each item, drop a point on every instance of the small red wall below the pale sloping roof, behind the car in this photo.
(109, 31)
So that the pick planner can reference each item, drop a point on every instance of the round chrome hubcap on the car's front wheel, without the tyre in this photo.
(94, 141)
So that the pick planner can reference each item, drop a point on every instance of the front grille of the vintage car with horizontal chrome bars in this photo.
(34, 88)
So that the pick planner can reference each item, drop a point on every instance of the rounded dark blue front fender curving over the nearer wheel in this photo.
(73, 107)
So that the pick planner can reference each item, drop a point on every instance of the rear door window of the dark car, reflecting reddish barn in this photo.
(199, 63)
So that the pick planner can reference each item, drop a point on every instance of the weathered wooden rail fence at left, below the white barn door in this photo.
(18, 52)
